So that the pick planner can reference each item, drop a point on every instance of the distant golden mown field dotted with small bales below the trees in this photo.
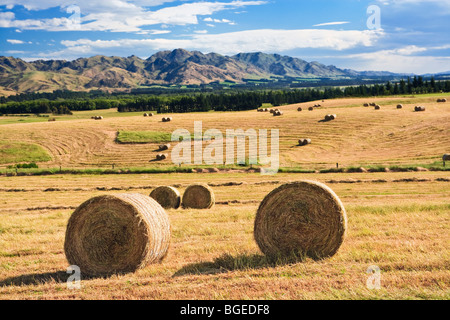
(358, 137)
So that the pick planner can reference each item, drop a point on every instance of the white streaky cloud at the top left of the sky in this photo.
(118, 15)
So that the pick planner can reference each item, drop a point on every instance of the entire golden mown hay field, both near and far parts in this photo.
(398, 221)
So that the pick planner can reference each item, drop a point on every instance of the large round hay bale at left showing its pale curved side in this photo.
(117, 234)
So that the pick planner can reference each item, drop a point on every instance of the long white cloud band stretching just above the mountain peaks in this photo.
(267, 40)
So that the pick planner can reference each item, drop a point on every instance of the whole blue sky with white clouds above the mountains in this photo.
(409, 36)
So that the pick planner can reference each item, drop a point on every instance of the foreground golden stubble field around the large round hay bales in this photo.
(400, 226)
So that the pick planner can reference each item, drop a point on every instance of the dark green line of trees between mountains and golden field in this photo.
(232, 100)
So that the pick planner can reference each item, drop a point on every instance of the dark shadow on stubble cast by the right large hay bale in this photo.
(228, 263)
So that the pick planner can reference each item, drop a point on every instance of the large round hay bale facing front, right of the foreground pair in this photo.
(304, 218)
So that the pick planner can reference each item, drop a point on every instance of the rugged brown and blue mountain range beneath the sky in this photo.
(178, 66)
